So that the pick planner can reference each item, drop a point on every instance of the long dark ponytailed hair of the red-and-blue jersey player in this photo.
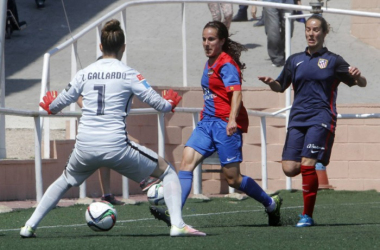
(231, 47)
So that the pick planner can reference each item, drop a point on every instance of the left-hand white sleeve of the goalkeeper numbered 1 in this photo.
(70, 94)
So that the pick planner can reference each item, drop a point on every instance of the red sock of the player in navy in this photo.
(309, 188)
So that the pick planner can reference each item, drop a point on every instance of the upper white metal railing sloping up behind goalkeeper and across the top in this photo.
(97, 25)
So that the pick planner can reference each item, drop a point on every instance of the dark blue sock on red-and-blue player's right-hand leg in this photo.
(253, 190)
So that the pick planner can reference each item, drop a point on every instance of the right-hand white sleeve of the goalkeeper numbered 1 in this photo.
(145, 93)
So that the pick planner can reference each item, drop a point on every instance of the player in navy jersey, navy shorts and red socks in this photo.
(315, 74)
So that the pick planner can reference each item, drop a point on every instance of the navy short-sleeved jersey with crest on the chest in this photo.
(315, 79)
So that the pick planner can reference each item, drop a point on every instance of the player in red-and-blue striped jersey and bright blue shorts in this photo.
(223, 120)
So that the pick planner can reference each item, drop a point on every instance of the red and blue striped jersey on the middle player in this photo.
(218, 83)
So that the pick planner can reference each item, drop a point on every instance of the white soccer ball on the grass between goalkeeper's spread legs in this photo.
(101, 216)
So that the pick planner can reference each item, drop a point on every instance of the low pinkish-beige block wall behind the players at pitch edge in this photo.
(354, 162)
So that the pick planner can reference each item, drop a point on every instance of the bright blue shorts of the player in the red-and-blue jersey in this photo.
(210, 135)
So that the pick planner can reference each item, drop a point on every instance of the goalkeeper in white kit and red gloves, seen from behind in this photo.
(107, 88)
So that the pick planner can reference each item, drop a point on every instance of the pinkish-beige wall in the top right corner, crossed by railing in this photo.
(366, 29)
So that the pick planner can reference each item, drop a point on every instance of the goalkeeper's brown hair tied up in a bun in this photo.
(112, 37)
